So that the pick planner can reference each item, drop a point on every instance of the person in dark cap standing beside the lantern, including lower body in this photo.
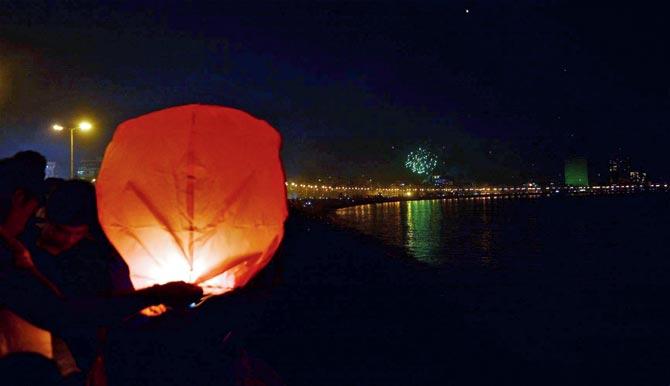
(71, 250)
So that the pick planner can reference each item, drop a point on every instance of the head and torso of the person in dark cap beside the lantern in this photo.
(70, 248)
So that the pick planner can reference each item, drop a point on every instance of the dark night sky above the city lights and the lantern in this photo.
(504, 91)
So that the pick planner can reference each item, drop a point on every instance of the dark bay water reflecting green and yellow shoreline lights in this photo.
(577, 280)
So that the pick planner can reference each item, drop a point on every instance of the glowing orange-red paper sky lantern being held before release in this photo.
(193, 193)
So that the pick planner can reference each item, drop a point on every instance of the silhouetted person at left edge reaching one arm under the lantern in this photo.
(31, 297)
